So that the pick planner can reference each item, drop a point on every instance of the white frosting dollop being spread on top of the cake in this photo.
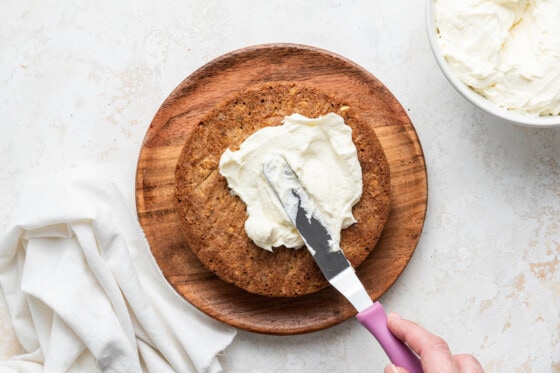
(321, 153)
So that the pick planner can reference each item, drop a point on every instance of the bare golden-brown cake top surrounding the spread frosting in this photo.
(213, 219)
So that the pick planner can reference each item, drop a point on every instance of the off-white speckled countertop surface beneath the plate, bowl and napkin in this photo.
(81, 81)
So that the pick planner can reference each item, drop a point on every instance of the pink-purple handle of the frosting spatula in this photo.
(374, 319)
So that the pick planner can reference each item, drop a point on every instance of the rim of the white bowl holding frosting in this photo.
(475, 98)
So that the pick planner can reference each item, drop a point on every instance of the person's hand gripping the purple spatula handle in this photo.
(434, 352)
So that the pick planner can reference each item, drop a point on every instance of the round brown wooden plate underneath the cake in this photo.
(182, 110)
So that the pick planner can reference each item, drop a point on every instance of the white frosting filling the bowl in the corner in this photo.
(506, 50)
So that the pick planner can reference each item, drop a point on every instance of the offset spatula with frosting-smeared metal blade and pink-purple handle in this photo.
(331, 260)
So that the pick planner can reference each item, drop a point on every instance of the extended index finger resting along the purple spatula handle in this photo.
(433, 350)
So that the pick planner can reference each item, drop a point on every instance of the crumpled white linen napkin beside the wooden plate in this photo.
(84, 291)
